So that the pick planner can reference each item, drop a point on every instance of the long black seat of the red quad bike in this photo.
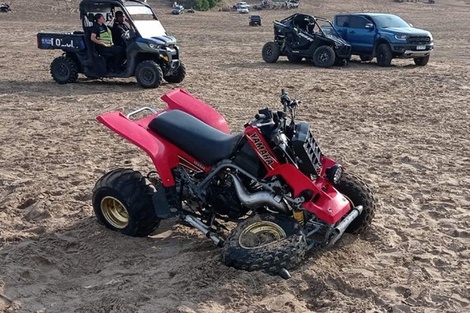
(195, 137)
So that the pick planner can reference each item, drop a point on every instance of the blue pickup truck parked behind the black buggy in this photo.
(385, 37)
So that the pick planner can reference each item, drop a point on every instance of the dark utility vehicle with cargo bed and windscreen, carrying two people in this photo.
(151, 55)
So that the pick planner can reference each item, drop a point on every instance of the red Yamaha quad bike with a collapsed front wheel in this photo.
(285, 196)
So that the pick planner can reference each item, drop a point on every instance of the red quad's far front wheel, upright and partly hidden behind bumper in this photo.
(359, 194)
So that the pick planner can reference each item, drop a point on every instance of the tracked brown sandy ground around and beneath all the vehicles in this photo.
(404, 129)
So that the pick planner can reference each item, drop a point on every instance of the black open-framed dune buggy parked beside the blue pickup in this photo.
(302, 36)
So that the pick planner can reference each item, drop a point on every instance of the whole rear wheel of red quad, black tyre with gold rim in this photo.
(122, 201)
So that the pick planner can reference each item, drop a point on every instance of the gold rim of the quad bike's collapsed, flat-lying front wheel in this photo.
(261, 234)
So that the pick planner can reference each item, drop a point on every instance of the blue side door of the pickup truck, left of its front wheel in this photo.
(360, 35)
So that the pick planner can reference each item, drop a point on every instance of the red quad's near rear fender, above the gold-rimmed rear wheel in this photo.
(161, 152)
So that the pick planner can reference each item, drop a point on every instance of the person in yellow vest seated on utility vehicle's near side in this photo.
(102, 37)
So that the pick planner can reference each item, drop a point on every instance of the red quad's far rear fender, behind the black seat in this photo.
(179, 99)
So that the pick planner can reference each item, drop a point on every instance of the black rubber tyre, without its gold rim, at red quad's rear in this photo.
(132, 190)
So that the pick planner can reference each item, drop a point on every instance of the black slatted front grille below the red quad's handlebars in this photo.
(307, 151)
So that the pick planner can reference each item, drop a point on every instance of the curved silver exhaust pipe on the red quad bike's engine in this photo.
(257, 199)
